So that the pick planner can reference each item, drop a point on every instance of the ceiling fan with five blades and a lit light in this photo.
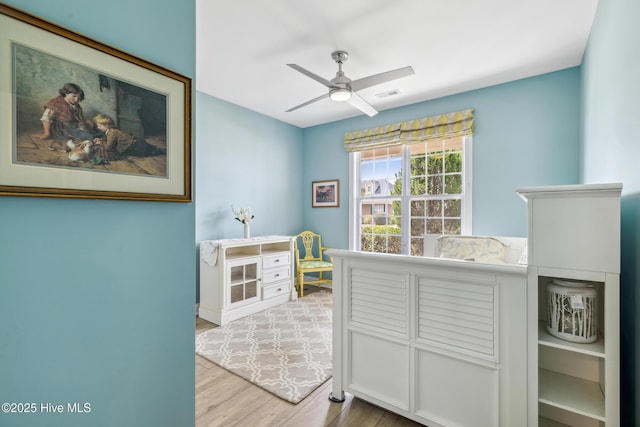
(343, 89)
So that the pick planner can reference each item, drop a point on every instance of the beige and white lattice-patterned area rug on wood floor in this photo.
(286, 350)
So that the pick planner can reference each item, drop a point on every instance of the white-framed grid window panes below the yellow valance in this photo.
(408, 190)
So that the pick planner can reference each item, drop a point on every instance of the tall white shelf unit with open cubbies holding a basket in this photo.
(574, 234)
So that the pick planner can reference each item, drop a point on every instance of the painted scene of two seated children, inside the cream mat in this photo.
(58, 132)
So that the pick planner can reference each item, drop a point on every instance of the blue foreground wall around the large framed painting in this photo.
(97, 297)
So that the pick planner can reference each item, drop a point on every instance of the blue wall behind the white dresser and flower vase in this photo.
(248, 160)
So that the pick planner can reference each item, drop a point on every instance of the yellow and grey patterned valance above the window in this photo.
(443, 126)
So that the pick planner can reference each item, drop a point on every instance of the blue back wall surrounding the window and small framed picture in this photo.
(527, 133)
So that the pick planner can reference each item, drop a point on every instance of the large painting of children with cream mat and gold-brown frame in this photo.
(81, 119)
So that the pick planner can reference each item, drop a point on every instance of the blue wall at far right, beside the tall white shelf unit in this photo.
(611, 149)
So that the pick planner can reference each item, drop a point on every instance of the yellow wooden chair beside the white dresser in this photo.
(310, 258)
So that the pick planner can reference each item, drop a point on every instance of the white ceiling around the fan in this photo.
(454, 46)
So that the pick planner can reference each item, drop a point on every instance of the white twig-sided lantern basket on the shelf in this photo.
(572, 311)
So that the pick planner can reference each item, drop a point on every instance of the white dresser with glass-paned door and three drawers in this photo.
(239, 277)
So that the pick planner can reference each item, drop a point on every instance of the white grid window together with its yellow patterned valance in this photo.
(408, 179)
